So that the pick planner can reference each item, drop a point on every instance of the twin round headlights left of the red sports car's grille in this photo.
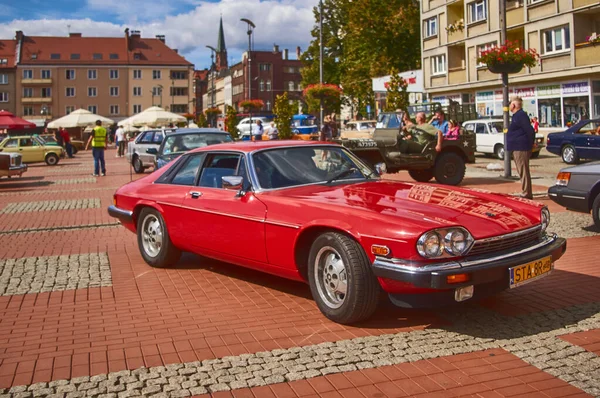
(445, 242)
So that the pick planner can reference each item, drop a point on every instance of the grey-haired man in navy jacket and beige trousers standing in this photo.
(520, 142)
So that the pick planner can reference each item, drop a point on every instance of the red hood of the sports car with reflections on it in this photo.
(416, 207)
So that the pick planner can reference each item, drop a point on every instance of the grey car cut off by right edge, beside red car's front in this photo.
(578, 188)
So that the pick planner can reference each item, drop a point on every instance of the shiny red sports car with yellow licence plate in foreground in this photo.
(314, 212)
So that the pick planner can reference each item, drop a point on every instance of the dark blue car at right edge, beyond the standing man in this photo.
(580, 141)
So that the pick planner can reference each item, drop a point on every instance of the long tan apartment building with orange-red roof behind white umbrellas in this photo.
(114, 77)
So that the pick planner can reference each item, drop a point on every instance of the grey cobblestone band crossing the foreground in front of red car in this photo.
(533, 338)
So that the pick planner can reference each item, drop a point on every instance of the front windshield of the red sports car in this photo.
(288, 167)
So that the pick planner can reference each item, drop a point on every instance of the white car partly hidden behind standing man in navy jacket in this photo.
(490, 139)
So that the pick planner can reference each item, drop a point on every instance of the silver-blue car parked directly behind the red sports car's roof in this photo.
(185, 140)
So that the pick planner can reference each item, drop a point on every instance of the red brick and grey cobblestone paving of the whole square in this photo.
(81, 314)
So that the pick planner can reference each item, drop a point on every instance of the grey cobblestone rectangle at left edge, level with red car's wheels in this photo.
(53, 273)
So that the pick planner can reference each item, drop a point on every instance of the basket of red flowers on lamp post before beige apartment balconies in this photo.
(509, 58)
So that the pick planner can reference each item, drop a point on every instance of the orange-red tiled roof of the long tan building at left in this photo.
(76, 49)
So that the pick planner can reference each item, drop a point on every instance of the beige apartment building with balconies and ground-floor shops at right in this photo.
(562, 89)
